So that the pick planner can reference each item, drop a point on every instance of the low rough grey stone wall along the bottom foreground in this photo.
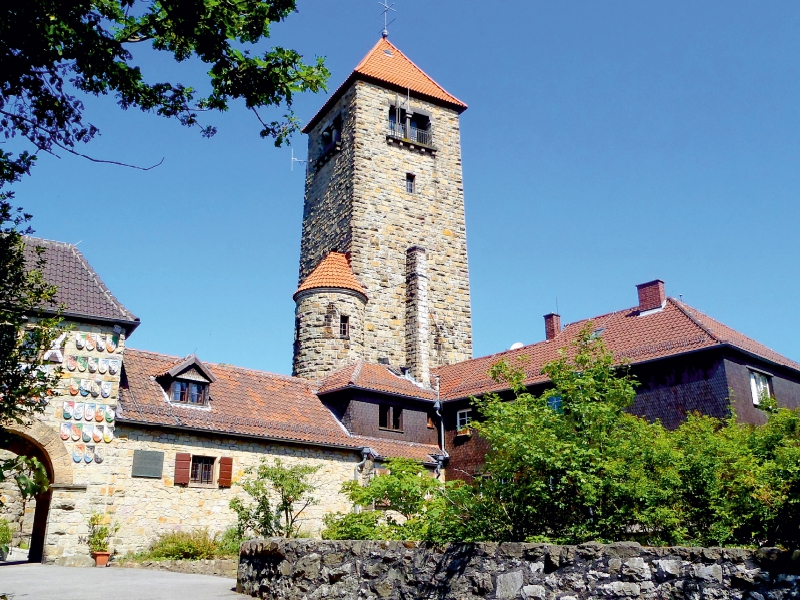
(313, 570)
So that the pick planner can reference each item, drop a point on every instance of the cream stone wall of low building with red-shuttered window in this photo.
(146, 507)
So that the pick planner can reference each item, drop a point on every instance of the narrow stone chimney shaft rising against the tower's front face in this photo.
(417, 343)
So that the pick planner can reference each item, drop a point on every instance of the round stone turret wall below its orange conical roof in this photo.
(320, 349)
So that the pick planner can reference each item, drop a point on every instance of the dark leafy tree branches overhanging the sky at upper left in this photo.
(51, 51)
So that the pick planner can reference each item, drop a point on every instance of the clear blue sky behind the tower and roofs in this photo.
(606, 144)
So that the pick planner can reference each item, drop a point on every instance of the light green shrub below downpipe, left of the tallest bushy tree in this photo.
(407, 490)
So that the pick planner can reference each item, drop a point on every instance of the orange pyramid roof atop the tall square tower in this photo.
(385, 64)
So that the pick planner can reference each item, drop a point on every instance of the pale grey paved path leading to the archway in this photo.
(40, 582)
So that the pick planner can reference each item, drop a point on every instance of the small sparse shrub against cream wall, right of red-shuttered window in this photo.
(279, 496)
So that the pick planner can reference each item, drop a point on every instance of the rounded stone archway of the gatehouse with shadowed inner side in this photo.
(42, 442)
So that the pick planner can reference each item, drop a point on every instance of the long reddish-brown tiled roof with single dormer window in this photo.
(245, 402)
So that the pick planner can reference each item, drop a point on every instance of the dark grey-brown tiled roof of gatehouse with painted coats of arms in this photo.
(80, 289)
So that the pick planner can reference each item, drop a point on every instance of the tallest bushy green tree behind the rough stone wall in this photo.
(569, 465)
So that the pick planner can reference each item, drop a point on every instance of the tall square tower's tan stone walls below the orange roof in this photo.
(357, 202)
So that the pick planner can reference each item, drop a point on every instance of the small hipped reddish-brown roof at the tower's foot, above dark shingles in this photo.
(369, 376)
